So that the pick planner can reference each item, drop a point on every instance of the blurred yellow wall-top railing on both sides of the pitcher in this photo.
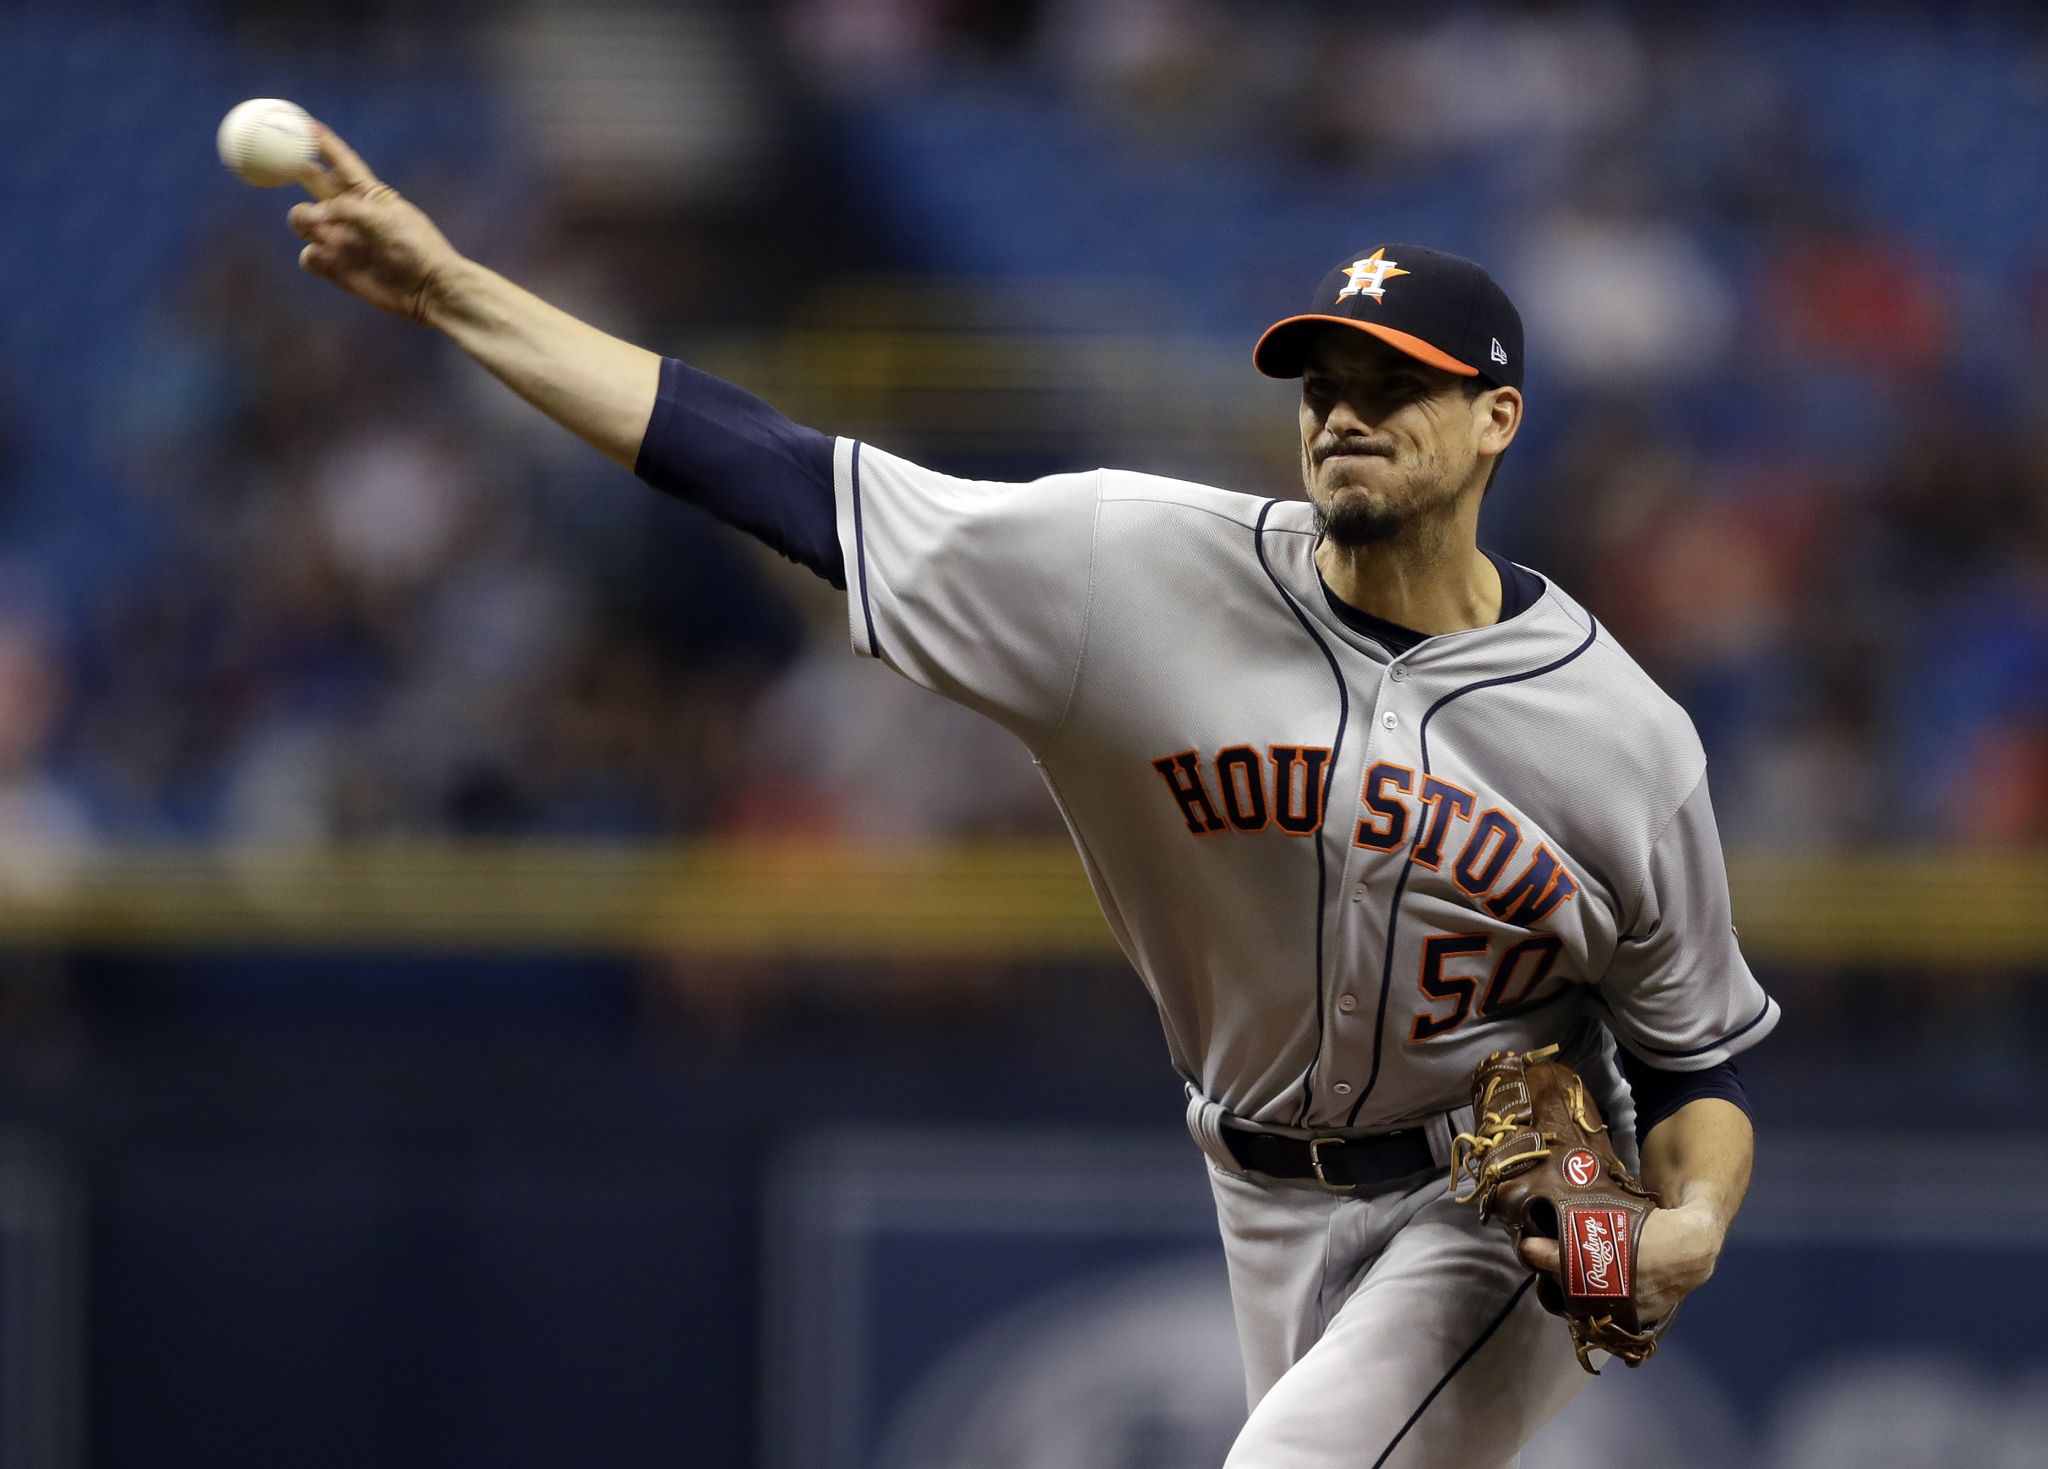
(1023, 900)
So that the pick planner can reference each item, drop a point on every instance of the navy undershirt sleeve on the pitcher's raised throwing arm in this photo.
(724, 450)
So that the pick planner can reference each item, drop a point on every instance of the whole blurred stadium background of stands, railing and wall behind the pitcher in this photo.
(490, 980)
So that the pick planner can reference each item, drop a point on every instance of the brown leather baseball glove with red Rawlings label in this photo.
(1541, 1165)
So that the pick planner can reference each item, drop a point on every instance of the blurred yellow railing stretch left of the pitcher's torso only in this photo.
(800, 900)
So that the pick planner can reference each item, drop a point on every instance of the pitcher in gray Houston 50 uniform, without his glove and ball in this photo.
(1361, 802)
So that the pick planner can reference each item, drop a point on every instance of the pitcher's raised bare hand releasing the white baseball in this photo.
(364, 237)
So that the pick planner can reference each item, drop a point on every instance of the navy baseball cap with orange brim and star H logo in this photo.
(1439, 308)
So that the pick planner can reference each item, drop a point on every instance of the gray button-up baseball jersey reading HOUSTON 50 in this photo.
(1345, 878)
